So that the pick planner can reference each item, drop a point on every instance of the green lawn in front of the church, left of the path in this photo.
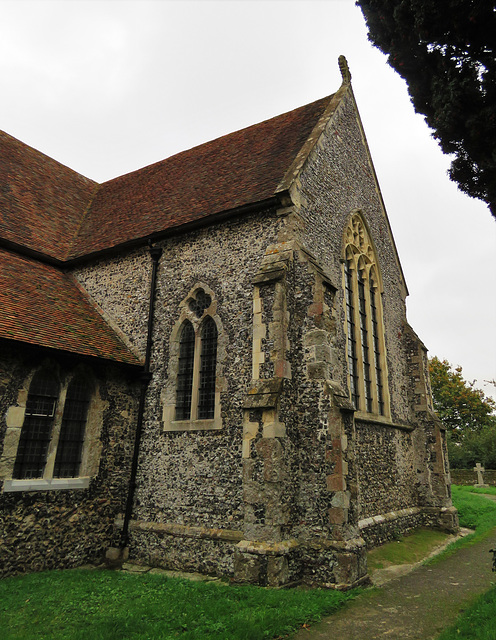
(105, 605)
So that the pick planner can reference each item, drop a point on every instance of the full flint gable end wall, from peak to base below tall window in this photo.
(396, 469)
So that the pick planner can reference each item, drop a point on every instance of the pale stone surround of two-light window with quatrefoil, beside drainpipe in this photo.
(169, 393)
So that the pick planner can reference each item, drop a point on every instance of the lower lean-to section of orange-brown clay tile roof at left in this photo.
(43, 306)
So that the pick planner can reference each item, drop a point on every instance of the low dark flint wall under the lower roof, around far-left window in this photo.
(56, 529)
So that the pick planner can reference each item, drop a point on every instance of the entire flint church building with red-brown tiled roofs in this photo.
(206, 365)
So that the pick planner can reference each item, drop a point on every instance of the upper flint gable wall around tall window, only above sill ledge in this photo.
(336, 181)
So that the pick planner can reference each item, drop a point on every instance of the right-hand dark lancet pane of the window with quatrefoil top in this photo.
(208, 361)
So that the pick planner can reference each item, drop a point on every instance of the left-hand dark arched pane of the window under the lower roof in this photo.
(37, 427)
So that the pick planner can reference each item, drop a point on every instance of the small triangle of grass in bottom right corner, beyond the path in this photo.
(478, 622)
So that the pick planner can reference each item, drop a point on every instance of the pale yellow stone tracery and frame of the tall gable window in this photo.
(359, 250)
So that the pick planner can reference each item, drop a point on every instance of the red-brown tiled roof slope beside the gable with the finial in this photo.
(238, 169)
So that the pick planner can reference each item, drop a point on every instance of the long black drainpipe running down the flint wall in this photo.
(155, 253)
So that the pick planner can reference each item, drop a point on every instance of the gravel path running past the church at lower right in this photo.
(417, 606)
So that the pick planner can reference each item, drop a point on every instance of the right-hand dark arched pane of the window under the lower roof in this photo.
(71, 437)
